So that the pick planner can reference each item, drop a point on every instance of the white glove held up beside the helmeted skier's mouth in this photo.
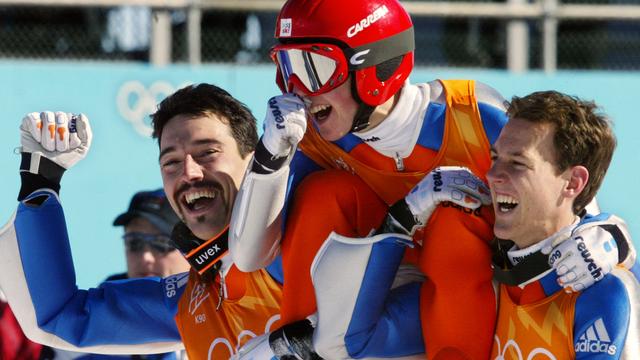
(284, 124)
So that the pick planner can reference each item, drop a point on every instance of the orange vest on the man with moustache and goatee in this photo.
(214, 328)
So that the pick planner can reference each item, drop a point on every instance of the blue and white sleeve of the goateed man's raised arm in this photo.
(38, 279)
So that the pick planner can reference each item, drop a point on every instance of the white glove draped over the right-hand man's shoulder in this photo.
(586, 257)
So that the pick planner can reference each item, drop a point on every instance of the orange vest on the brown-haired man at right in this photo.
(544, 327)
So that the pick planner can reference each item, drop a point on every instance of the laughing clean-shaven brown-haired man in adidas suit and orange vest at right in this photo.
(548, 163)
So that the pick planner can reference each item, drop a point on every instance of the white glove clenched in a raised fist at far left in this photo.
(61, 137)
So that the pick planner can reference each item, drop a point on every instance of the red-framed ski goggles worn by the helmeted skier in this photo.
(312, 68)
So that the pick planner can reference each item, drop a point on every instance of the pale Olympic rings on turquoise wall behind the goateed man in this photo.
(135, 102)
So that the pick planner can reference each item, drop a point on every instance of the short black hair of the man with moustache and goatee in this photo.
(203, 100)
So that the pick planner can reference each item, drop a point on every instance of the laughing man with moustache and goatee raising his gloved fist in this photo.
(206, 138)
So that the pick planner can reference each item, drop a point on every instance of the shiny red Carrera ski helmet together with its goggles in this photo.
(322, 41)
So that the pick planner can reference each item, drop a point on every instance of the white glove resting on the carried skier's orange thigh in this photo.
(447, 183)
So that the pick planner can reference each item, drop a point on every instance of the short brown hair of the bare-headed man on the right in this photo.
(583, 136)
